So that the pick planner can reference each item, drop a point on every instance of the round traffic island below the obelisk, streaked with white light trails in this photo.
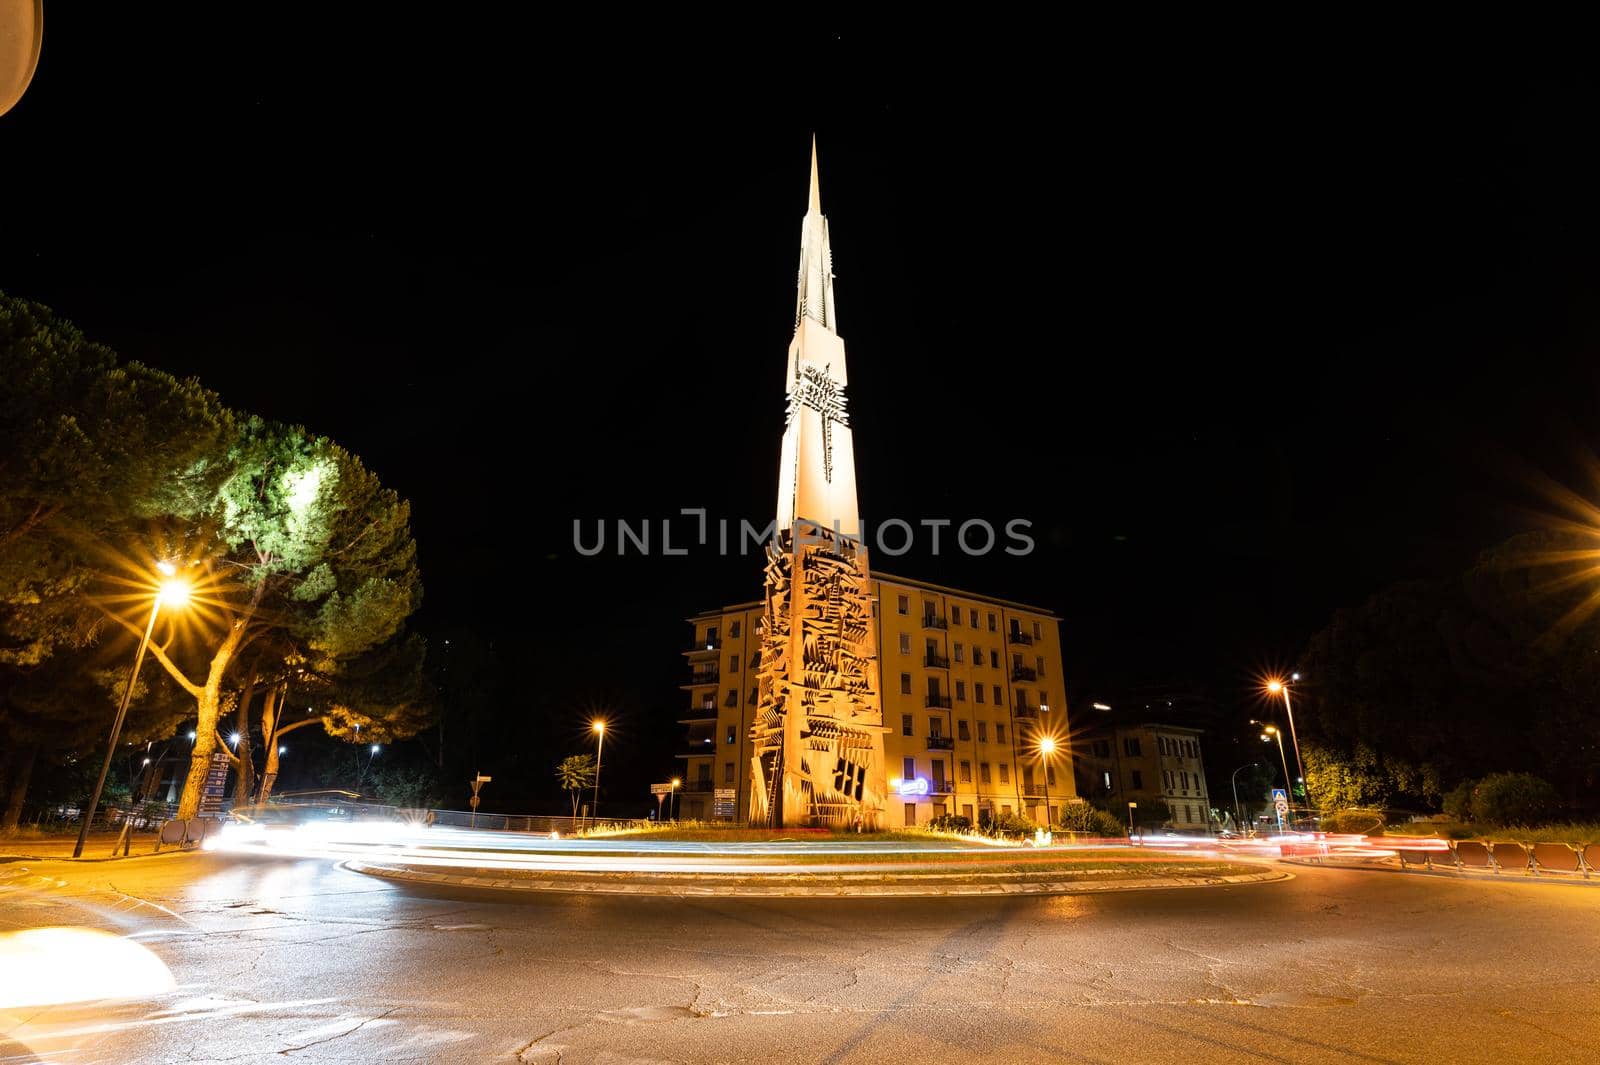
(652, 864)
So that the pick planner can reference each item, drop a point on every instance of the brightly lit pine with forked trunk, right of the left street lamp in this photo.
(297, 543)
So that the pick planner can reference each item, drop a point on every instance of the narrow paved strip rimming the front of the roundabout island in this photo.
(870, 887)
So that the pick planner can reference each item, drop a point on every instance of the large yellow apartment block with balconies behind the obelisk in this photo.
(969, 685)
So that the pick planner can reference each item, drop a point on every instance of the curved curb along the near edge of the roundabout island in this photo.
(794, 891)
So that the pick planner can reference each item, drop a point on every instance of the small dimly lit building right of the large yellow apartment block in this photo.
(1145, 764)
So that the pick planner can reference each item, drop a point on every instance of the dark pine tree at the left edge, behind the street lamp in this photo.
(90, 450)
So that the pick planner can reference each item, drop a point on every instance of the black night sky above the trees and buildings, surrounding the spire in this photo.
(1244, 338)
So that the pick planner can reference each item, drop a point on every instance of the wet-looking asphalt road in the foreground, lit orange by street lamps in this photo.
(300, 960)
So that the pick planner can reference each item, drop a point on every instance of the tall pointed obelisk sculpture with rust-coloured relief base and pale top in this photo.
(818, 735)
